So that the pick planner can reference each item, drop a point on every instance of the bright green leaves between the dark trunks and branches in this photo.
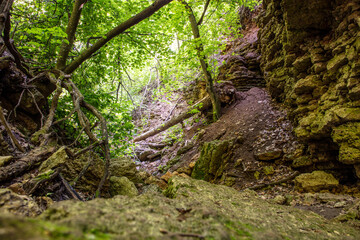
(159, 50)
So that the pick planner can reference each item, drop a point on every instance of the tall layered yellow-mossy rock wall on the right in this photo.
(310, 60)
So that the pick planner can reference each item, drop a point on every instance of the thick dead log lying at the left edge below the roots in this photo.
(25, 163)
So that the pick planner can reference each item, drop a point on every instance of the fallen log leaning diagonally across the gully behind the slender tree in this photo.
(203, 104)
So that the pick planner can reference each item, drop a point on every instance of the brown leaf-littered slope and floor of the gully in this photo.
(259, 127)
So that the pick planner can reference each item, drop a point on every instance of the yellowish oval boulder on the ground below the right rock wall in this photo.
(315, 181)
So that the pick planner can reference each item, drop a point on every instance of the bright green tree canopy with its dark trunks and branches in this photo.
(101, 53)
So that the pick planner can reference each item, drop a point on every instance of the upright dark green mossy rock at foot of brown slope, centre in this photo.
(213, 158)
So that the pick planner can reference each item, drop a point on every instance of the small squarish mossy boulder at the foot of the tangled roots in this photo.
(122, 186)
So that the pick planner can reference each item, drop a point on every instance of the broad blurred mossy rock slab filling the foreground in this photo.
(193, 208)
